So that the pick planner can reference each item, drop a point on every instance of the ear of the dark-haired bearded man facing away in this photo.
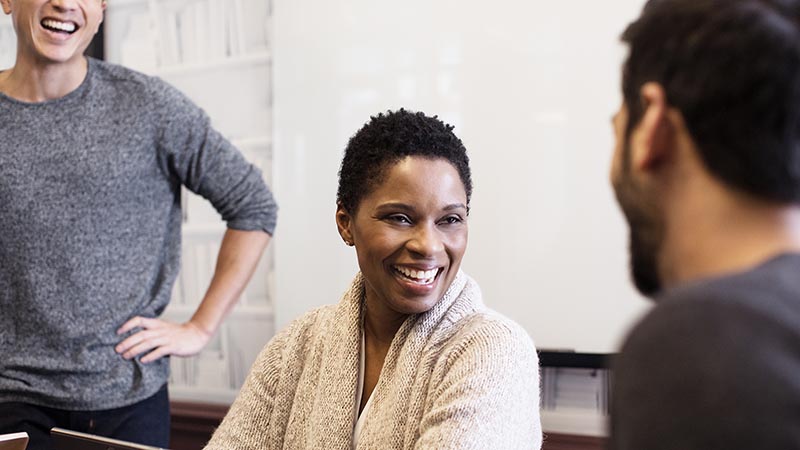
(654, 135)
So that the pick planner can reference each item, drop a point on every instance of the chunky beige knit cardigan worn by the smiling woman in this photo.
(456, 377)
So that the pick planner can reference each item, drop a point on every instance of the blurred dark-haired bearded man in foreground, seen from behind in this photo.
(707, 172)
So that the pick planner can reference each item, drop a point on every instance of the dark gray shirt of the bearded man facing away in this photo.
(715, 365)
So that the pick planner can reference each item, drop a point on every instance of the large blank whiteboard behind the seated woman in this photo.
(530, 86)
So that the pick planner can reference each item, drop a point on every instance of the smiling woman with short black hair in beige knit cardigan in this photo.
(410, 357)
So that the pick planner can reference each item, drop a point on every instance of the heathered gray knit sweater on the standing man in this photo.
(90, 229)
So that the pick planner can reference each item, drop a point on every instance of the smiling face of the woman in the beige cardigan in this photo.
(410, 234)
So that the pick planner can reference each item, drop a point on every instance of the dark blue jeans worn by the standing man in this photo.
(146, 422)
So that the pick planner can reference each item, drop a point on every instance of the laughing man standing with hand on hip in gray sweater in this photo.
(92, 160)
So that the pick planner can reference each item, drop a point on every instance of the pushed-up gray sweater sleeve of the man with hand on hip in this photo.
(209, 165)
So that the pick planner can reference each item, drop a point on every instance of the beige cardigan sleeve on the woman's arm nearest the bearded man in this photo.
(488, 396)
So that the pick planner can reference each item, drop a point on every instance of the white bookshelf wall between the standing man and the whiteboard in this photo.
(217, 53)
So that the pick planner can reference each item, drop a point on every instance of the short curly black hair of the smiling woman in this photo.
(385, 140)
